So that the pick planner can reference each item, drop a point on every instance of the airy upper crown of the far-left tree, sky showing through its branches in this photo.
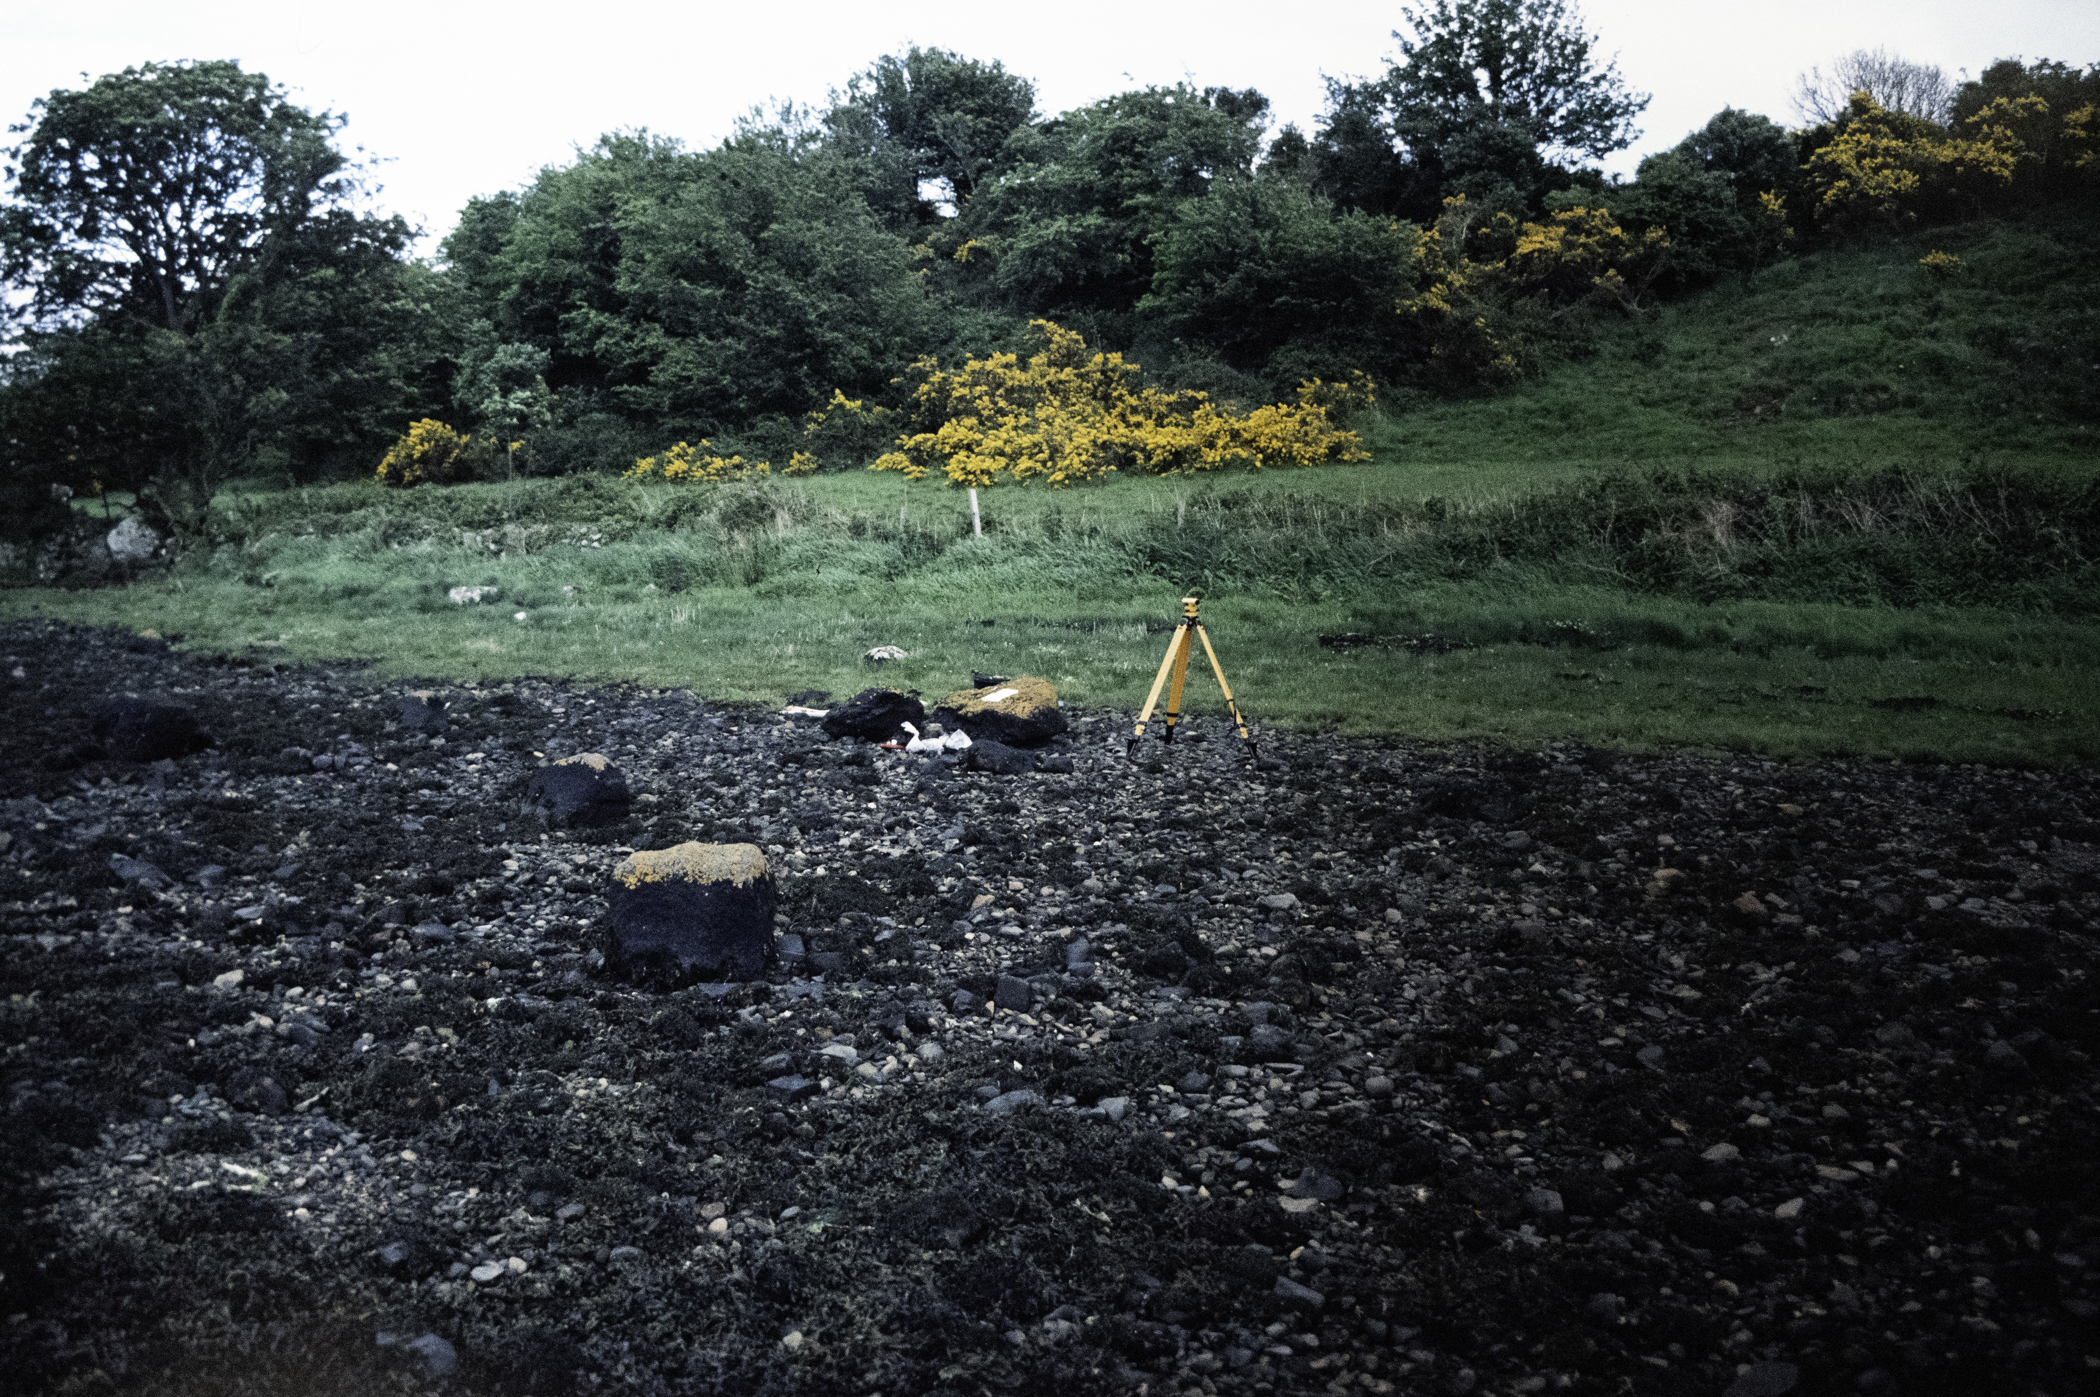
(152, 188)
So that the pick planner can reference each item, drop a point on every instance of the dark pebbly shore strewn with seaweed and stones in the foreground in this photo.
(1381, 1066)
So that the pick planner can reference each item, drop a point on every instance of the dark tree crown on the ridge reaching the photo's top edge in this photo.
(1490, 98)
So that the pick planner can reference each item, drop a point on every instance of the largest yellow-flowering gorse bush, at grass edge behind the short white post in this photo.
(1068, 417)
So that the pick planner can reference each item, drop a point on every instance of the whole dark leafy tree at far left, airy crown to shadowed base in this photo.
(196, 297)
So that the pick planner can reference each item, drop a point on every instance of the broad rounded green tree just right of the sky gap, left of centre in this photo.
(696, 293)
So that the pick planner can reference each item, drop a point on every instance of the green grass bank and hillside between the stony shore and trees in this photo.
(1847, 362)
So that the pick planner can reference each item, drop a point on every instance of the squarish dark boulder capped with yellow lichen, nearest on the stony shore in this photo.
(692, 913)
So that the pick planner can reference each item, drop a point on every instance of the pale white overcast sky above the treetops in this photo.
(463, 100)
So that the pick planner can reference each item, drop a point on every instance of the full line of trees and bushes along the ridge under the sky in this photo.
(196, 291)
